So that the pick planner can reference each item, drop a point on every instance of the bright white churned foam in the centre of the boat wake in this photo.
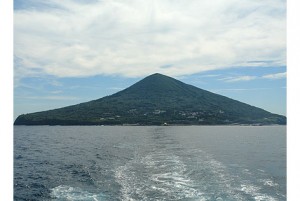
(156, 176)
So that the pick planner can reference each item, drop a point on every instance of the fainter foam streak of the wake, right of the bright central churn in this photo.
(218, 183)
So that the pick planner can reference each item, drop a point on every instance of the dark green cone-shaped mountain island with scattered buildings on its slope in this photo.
(156, 100)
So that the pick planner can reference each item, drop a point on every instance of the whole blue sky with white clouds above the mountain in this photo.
(72, 51)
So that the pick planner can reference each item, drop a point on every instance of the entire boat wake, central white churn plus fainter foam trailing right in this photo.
(161, 176)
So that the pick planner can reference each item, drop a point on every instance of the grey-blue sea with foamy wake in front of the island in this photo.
(111, 163)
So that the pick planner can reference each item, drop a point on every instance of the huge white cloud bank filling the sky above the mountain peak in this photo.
(135, 38)
